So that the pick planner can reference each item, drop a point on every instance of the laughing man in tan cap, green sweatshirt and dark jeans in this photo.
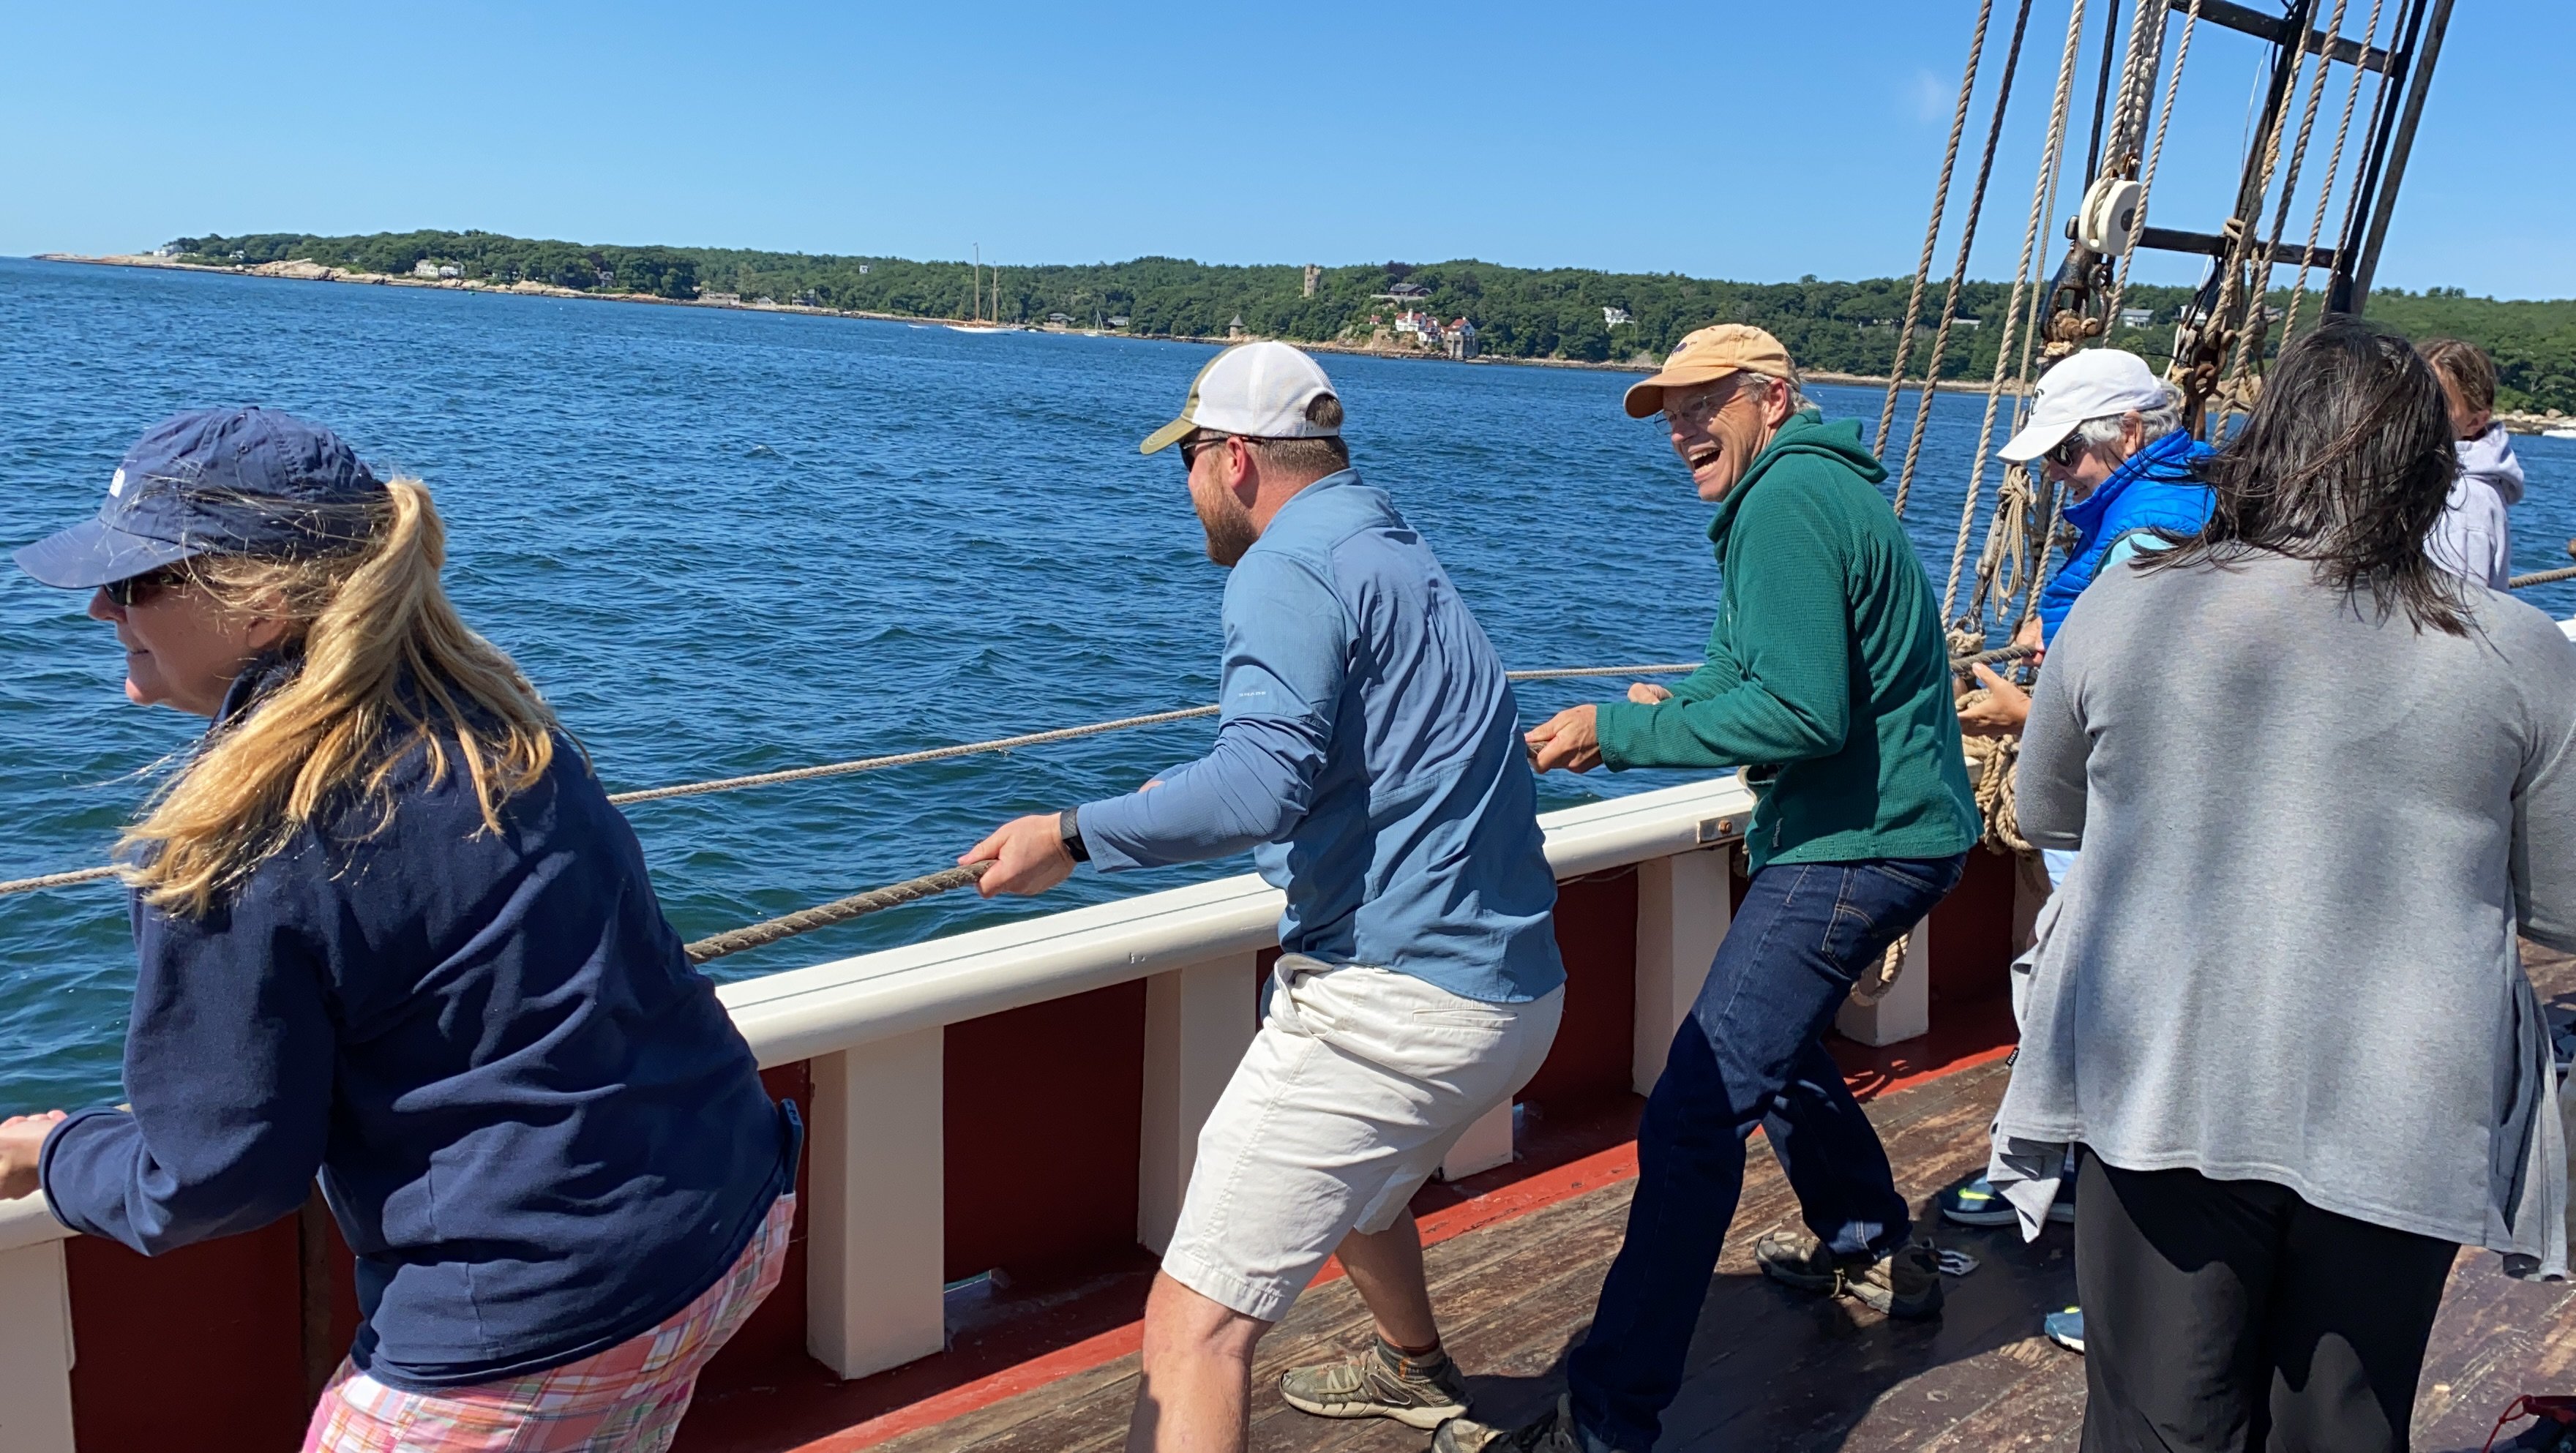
(1825, 676)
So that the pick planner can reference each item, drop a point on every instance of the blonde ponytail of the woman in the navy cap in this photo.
(388, 669)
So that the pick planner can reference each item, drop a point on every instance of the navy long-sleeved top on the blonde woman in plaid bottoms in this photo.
(532, 1119)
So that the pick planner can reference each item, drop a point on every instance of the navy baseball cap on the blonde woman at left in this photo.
(213, 483)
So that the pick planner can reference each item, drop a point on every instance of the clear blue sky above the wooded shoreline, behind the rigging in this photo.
(1722, 140)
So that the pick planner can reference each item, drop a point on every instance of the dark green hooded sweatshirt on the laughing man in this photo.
(1828, 663)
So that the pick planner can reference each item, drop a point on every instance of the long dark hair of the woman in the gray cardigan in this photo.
(2345, 462)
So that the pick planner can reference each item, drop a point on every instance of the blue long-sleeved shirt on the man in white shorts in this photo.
(1369, 756)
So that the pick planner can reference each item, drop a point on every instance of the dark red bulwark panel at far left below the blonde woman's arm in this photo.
(197, 1349)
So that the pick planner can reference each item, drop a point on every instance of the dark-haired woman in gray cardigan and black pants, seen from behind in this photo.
(2320, 787)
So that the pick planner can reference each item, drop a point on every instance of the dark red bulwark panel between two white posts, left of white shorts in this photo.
(1042, 1132)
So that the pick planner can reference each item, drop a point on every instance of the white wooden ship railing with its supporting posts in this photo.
(872, 1034)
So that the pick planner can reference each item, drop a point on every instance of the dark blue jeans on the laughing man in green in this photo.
(1750, 1055)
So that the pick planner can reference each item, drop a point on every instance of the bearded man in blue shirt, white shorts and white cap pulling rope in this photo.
(1369, 759)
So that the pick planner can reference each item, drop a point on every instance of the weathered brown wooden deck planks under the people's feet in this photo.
(1781, 1372)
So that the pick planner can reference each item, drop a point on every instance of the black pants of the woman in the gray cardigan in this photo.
(2232, 1315)
